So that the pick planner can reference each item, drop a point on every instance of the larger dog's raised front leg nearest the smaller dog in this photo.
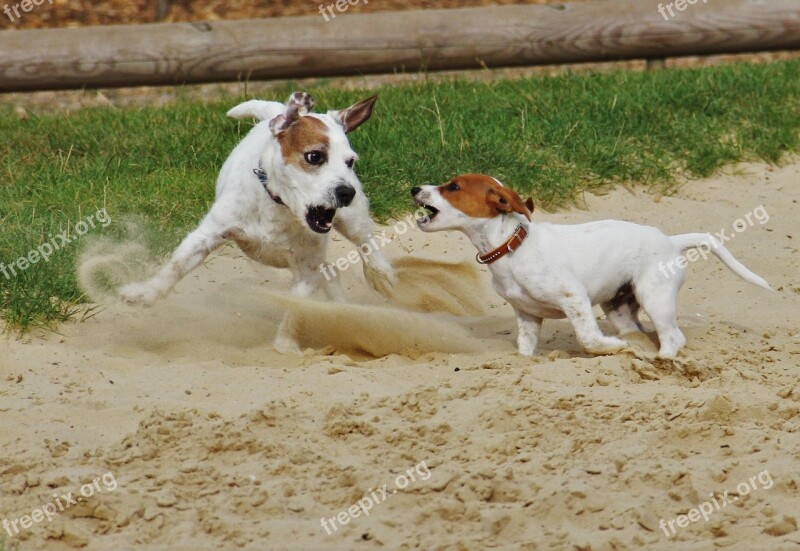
(355, 224)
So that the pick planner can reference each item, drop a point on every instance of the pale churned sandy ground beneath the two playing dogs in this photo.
(203, 437)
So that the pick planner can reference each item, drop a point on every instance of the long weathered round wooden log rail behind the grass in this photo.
(350, 43)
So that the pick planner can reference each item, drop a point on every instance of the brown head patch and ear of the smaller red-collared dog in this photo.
(480, 196)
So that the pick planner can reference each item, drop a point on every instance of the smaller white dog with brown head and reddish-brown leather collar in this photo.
(556, 271)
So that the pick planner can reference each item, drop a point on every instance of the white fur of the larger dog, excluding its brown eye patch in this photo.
(273, 234)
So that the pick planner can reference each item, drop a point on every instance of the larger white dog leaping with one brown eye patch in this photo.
(282, 189)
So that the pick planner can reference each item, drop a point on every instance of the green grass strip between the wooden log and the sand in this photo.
(551, 137)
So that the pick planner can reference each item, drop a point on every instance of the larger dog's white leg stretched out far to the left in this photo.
(192, 251)
